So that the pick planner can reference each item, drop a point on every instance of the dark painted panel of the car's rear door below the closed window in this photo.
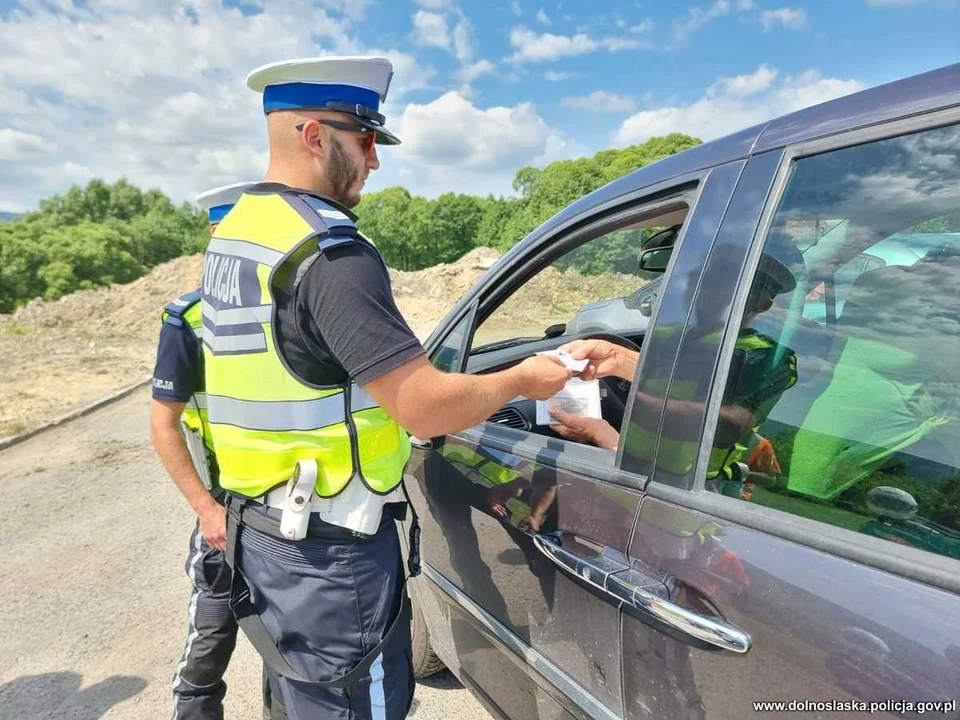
(823, 627)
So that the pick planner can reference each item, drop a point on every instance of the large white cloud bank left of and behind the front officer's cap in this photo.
(149, 91)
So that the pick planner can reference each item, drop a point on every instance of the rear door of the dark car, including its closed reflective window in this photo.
(822, 573)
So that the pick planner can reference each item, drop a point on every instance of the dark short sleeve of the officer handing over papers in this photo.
(349, 306)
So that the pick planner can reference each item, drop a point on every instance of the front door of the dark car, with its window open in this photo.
(520, 527)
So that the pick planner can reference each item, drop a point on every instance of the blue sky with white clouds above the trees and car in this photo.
(153, 89)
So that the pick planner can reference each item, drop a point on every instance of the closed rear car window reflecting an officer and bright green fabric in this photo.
(841, 402)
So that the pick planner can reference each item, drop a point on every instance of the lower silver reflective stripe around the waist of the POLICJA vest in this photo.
(276, 416)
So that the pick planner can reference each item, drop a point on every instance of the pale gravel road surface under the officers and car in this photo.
(94, 602)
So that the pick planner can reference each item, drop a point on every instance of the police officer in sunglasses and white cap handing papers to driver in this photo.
(312, 376)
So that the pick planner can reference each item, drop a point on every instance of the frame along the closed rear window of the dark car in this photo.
(921, 565)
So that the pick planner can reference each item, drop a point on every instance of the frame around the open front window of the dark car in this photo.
(601, 465)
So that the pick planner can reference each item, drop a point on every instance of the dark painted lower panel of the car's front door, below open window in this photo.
(459, 488)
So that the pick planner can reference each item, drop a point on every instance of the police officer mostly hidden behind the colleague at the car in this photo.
(181, 436)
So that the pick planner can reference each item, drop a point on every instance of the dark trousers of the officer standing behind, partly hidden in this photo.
(198, 686)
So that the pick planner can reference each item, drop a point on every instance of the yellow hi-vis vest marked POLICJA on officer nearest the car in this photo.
(264, 418)
